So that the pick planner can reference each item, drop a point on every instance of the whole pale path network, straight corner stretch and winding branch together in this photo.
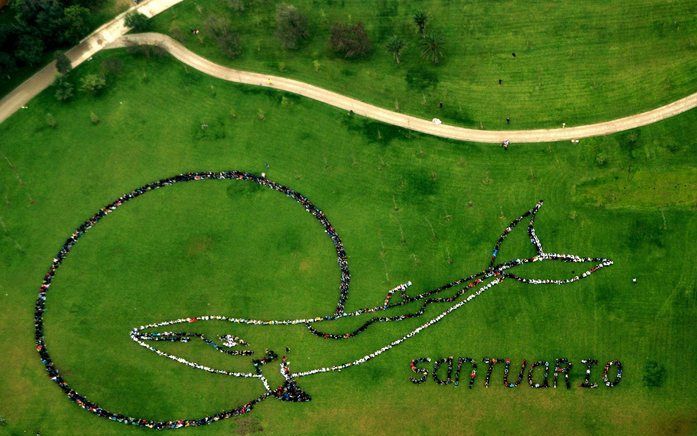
(112, 35)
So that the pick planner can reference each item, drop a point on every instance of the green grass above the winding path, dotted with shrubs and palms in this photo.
(576, 63)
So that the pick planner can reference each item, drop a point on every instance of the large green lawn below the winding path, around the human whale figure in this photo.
(200, 249)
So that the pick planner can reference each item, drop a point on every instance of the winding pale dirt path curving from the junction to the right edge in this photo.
(186, 56)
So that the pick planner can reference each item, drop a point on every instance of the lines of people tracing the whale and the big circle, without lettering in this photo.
(289, 390)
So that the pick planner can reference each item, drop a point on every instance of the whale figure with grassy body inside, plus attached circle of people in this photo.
(265, 363)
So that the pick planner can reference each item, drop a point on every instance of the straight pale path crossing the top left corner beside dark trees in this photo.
(97, 40)
